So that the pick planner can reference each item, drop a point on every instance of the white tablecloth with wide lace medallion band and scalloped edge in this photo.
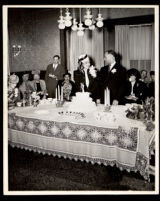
(107, 138)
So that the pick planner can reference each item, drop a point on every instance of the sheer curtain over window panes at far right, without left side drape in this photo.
(141, 44)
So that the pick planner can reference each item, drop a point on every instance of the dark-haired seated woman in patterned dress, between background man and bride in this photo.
(69, 88)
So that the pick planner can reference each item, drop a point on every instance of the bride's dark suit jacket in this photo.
(93, 88)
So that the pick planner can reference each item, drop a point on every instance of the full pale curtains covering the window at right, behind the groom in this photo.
(136, 45)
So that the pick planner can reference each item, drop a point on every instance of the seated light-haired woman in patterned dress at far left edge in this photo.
(13, 92)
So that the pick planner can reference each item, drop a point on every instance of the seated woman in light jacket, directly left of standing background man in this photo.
(37, 85)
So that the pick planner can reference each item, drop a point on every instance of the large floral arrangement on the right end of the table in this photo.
(144, 112)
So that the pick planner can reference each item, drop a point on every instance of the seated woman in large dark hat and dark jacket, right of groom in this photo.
(136, 90)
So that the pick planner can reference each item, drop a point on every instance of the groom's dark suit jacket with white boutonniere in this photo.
(115, 80)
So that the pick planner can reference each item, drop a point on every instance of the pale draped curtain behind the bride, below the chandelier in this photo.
(91, 43)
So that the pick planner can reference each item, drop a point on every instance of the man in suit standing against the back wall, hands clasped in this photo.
(54, 73)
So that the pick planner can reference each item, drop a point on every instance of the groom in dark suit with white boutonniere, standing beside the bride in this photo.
(113, 76)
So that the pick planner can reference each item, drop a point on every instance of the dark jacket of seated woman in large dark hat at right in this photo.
(139, 89)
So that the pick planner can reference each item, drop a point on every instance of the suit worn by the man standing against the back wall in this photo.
(51, 83)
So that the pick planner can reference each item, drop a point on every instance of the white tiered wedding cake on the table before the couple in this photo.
(82, 103)
